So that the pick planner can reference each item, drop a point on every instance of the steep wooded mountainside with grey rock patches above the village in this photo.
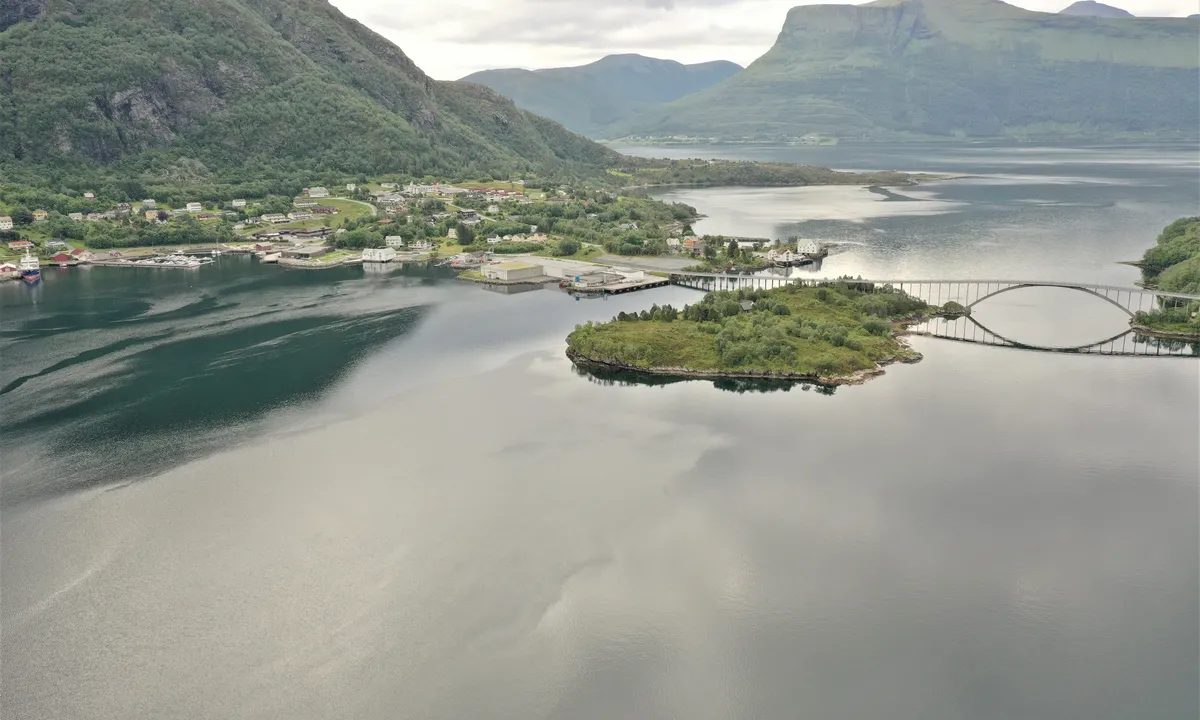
(242, 88)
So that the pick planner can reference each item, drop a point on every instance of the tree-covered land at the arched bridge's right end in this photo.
(1174, 266)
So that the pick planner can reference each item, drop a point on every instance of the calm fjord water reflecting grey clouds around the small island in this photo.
(260, 494)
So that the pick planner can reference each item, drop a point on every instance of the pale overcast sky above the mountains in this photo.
(449, 39)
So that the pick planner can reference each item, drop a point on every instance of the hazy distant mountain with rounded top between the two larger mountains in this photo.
(591, 98)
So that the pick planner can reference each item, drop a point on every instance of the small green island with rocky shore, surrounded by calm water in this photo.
(839, 333)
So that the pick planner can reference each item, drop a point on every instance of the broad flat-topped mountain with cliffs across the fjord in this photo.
(898, 69)
